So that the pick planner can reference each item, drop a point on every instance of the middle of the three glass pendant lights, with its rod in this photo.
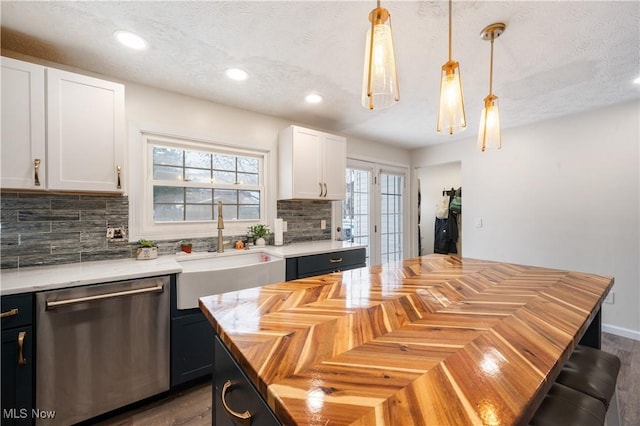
(451, 112)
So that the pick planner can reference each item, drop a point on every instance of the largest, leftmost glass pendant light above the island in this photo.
(379, 81)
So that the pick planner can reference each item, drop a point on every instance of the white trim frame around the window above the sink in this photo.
(141, 223)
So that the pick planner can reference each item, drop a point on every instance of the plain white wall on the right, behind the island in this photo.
(564, 193)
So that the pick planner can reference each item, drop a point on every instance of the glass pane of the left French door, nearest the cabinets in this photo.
(355, 208)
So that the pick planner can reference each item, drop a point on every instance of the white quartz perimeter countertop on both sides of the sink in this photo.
(39, 278)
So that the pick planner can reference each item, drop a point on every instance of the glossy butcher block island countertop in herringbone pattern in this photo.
(435, 340)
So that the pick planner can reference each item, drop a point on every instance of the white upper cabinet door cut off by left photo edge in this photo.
(23, 126)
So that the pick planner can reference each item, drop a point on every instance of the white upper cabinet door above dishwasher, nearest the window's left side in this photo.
(85, 131)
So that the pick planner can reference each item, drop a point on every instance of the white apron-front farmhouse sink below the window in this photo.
(223, 272)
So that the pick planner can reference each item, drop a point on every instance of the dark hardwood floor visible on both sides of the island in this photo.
(193, 406)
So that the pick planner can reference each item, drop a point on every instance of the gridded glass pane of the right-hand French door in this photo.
(391, 216)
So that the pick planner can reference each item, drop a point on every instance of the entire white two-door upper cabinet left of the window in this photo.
(81, 146)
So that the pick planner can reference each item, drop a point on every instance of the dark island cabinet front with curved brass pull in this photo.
(240, 396)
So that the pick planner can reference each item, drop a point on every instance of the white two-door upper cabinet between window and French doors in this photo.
(312, 164)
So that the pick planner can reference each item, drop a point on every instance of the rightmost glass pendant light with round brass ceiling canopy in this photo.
(489, 134)
